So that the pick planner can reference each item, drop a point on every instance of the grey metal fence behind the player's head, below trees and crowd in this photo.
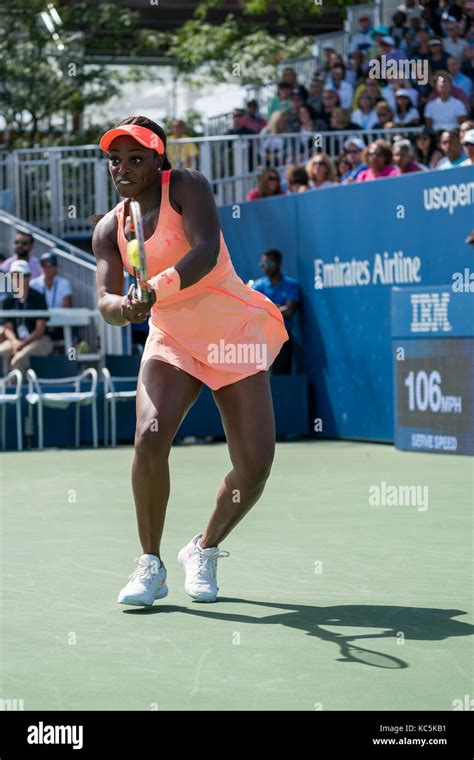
(59, 189)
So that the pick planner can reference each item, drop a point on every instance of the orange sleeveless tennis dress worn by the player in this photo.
(219, 330)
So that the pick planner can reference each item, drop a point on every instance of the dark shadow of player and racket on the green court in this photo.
(397, 623)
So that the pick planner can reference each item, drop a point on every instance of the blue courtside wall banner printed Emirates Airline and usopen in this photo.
(348, 246)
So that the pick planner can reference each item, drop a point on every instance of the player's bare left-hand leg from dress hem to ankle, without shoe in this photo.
(164, 395)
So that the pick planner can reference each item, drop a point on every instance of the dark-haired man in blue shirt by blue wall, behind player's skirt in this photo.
(285, 293)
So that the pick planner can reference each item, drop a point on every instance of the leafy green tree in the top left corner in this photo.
(42, 67)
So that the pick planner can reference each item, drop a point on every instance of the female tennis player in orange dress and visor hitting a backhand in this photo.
(206, 327)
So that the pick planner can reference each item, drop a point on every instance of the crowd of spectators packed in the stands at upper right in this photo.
(430, 85)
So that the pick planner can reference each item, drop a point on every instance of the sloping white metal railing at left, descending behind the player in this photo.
(80, 269)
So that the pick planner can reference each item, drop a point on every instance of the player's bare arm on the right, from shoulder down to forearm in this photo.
(192, 193)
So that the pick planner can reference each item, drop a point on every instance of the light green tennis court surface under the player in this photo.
(327, 601)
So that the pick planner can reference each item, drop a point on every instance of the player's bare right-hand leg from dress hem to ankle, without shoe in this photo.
(246, 409)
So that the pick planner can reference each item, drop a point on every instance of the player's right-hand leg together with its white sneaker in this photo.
(246, 410)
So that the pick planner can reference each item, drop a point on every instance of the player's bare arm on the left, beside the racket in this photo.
(109, 270)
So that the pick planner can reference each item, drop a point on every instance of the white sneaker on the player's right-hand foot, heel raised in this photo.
(200, 567)
